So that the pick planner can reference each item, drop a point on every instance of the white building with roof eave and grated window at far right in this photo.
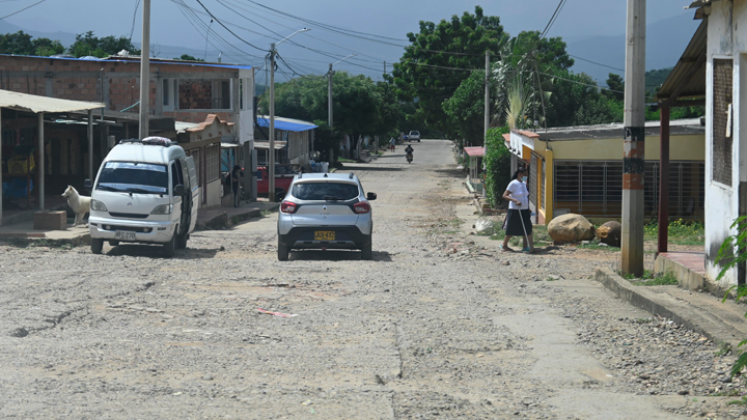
(726, 144)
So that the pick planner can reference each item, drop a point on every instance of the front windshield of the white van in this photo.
(143, 178)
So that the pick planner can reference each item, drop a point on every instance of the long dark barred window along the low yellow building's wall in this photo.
(594, 188)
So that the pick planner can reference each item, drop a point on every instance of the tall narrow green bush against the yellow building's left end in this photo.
(497, 165)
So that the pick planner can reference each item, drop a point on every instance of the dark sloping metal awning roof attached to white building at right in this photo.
(687, 81)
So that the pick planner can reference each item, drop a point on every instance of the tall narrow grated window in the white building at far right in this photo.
(722, 99)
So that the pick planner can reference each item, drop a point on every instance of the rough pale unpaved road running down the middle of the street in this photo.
(439, 325)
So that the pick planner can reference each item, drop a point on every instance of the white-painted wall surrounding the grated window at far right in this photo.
(726, 39)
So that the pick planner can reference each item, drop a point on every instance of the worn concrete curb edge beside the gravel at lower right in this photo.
(676, 311)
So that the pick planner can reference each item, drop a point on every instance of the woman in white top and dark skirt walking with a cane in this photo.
(519, 218)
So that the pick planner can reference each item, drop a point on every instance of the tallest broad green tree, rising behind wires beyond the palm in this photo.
(420, 75)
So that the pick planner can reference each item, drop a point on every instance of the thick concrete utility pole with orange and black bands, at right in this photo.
(634, 139)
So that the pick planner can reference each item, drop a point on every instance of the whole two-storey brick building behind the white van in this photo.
(180, 91)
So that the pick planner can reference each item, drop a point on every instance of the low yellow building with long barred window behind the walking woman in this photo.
(579, 169)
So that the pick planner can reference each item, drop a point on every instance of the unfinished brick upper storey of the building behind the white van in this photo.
(185, 90)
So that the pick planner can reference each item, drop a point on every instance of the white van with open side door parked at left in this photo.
(146, 191)
